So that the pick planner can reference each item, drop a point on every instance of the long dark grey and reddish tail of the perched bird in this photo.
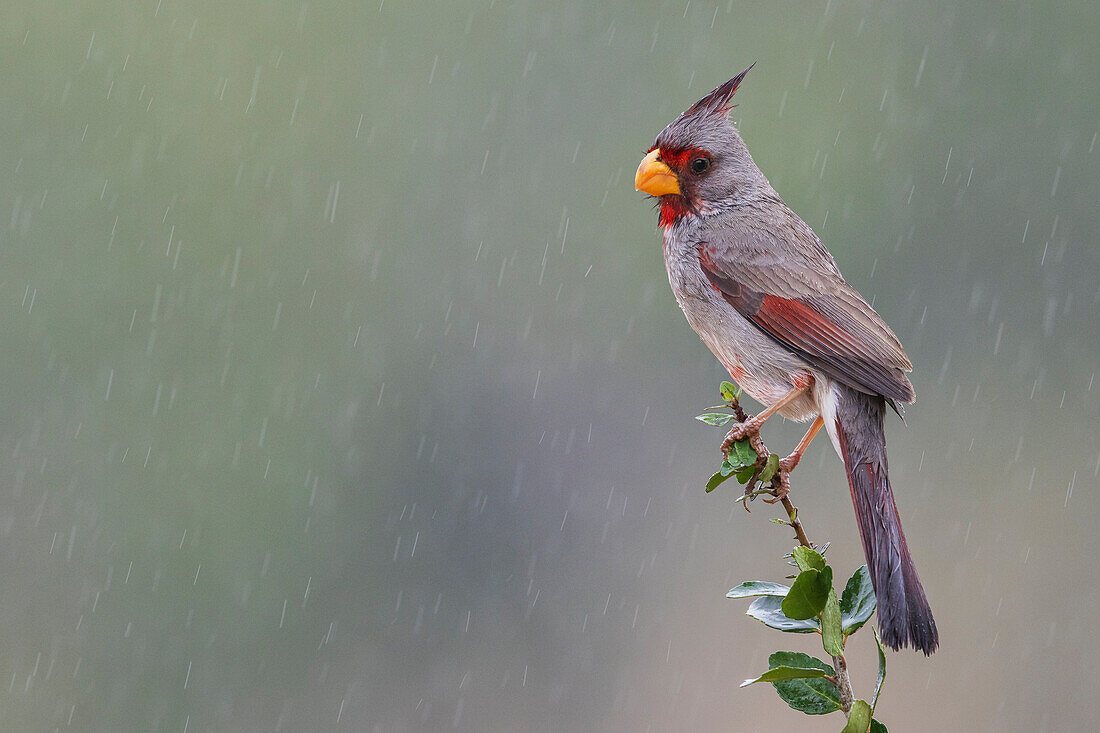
(905, 617)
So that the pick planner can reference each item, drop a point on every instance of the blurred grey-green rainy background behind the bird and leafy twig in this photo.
(344, 388)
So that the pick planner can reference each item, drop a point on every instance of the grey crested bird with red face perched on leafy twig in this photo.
(767, 298)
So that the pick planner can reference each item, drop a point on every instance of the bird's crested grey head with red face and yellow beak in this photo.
(699, 162)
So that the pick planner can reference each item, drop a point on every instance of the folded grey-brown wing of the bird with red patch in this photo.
(798, 298)
